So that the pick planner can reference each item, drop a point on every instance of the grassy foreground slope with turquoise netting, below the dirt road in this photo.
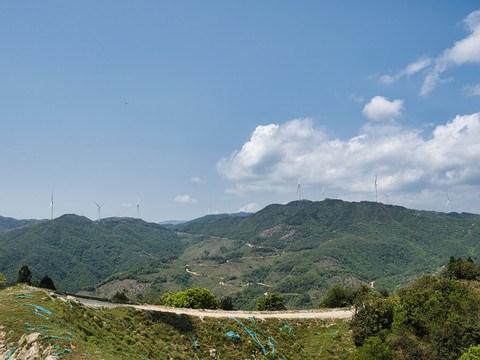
(126, 333)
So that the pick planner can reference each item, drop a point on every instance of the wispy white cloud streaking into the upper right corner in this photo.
(464, 51)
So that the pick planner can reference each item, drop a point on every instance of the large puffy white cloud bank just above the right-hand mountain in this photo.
(404, 159)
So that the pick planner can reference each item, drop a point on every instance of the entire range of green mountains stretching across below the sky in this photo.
(299, 250)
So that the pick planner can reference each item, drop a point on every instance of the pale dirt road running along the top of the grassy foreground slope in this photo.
(300, 314)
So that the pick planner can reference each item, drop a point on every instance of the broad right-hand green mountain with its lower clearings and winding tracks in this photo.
(303, 248)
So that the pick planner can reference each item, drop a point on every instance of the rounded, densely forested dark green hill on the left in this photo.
(77, 252)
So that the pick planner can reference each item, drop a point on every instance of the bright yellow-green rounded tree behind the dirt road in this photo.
(192, 298)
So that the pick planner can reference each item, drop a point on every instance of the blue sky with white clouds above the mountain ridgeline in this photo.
(189, 108)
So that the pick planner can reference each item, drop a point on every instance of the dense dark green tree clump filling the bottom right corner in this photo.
(430, 318)
